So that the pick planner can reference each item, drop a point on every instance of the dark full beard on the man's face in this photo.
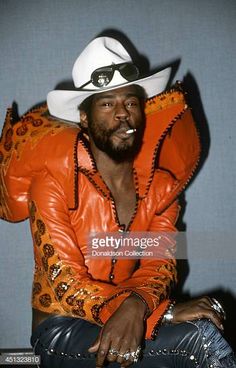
(126, 150)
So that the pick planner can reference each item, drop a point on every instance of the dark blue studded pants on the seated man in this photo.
(63, 342)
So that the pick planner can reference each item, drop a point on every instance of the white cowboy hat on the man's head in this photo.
(101, 52)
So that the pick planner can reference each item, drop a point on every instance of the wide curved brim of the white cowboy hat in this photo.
(65, 104)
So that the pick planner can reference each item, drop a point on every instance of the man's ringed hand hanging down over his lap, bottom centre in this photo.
(122, 333)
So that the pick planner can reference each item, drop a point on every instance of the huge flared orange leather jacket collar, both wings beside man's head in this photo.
(171, 143)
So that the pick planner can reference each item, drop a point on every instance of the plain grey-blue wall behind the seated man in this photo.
(39, 41)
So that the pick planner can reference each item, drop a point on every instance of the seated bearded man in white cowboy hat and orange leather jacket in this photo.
(121, 171)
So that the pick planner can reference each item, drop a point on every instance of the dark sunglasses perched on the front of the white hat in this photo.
(101, 77)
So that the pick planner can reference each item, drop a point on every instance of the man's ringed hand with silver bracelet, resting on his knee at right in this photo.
(196, 309)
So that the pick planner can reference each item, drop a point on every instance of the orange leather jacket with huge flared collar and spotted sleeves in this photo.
(48, 175)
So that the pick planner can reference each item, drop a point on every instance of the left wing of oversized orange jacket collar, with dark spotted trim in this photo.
(35, 142)
